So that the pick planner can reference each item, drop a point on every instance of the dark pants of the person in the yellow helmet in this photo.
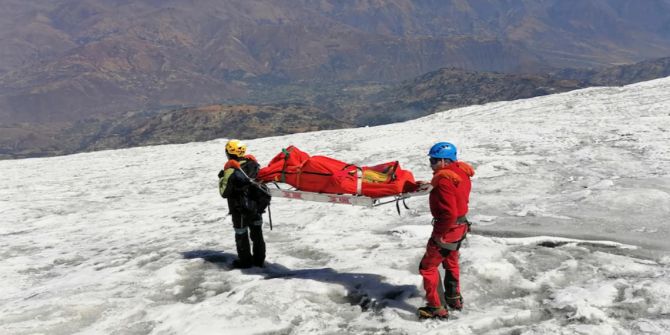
(249, 226)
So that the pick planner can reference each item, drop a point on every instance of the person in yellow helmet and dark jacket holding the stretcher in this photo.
(236, 185)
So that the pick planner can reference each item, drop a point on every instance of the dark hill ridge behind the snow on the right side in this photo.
(451, 88)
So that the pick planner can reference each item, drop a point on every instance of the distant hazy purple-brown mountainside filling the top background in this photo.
(68, 60)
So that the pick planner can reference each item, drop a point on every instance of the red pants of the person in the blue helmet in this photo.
(429, 270)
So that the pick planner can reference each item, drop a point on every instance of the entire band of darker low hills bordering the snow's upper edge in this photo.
(343, 106)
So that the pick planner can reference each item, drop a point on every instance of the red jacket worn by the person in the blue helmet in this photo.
(449, 200)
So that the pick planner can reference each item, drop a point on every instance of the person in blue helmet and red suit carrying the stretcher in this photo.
(448, 204)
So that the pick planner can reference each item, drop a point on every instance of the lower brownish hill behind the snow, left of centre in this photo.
(175, 126)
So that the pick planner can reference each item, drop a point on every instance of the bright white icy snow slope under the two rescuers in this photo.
(571, 204)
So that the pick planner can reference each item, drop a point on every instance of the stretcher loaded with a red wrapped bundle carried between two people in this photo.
(297, 175)
